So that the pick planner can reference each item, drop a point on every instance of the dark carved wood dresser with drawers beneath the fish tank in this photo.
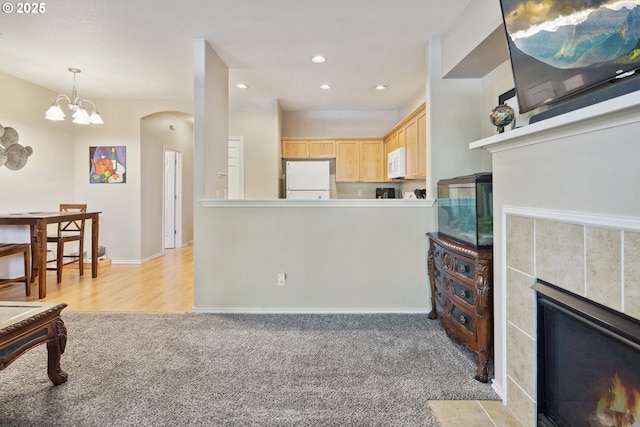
(461, 294)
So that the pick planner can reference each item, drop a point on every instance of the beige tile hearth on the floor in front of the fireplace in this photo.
(473, 413)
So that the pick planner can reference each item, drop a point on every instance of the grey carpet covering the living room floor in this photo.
(242, 370)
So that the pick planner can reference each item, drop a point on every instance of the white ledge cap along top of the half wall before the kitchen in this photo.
(331, 203)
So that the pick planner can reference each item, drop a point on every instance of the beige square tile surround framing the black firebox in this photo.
(597, 259)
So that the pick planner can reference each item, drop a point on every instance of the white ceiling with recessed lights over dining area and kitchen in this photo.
(143, 49)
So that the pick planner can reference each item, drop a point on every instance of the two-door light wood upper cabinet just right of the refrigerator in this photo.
(359, 160)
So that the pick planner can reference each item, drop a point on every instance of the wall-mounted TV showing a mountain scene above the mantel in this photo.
(560, 48)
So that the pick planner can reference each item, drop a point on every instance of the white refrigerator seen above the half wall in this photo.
(307, 179)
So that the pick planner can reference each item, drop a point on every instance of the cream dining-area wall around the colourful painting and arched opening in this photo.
(58, 170)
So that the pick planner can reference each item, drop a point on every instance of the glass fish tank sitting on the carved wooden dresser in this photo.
(465, 209)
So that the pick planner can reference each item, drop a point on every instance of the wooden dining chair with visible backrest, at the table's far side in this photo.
(70, 231)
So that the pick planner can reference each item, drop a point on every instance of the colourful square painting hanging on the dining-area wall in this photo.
(107, 165)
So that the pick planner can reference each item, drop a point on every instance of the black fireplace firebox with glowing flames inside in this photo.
(588, 362)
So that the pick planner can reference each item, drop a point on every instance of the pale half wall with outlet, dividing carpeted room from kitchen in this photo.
(337, 258)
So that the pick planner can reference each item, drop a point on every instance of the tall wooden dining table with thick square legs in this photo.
(37, 222)
